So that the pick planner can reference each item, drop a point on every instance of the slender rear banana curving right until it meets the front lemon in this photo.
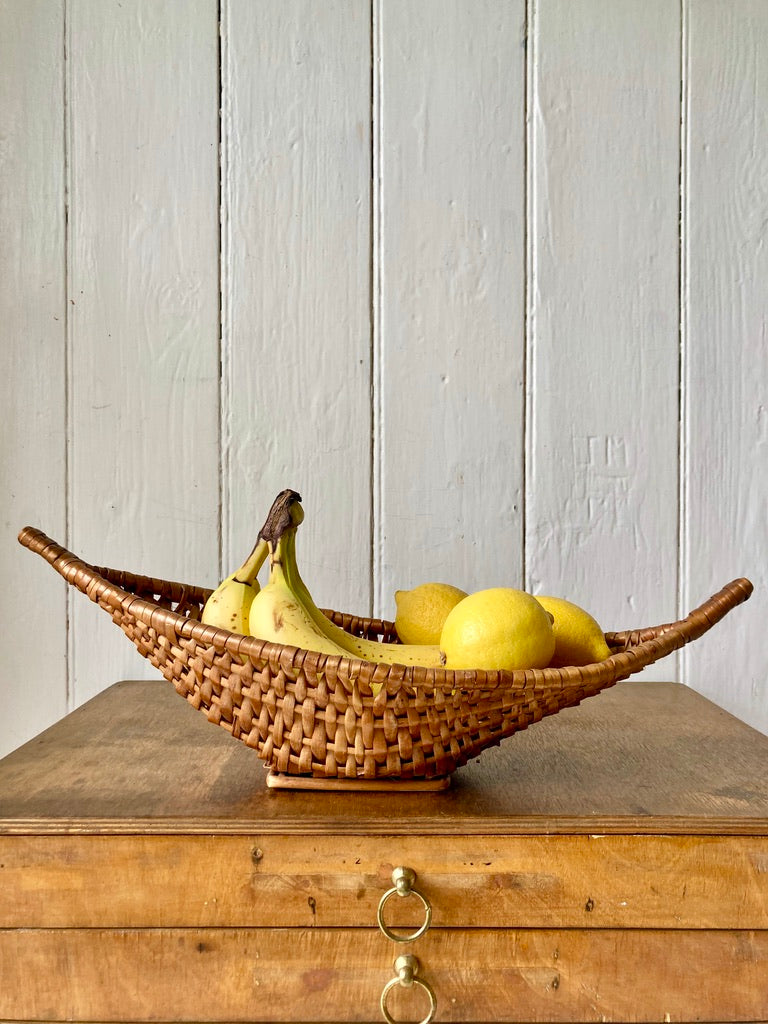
(428, 656)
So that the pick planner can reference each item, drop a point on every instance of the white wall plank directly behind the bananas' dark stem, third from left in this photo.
(296, 295)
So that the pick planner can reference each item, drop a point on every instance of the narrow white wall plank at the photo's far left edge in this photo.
(33, 689)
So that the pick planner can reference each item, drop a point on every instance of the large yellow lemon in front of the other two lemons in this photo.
(500, 628)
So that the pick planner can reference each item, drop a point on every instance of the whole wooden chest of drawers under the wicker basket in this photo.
(611, 864)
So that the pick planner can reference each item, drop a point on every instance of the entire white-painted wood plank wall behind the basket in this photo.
(484, 281)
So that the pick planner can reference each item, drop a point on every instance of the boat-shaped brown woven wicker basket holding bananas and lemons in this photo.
(325, 722)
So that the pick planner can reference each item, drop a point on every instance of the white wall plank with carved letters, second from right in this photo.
(603, 482)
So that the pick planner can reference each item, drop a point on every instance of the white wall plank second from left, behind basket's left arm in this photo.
(144, 314)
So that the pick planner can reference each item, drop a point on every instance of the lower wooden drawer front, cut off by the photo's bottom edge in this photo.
(338, 975)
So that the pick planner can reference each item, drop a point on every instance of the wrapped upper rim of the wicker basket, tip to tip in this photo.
(642, 648)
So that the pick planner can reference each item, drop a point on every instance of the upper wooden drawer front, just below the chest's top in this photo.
(329, 882)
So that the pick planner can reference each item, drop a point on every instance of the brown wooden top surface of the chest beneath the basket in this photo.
(642, 757)
